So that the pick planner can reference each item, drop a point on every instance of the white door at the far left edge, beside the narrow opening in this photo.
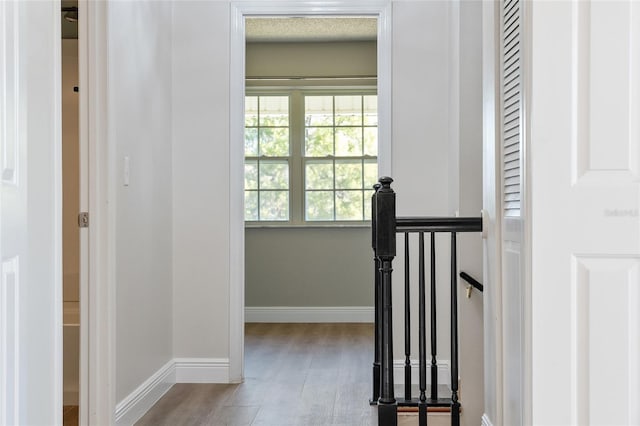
(30, 214)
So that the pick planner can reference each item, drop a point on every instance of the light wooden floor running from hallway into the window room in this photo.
(295, 374)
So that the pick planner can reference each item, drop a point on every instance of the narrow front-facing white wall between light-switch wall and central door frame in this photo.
(201, 179)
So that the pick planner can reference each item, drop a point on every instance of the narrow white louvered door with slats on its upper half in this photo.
(512, 141)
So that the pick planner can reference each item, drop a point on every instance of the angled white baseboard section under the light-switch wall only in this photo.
(138, 402)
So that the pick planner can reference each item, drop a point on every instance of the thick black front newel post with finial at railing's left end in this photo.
(386, 251)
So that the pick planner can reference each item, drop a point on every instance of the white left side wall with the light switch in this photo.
(139, 92)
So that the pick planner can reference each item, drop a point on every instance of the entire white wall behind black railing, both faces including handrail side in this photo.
(437, 164)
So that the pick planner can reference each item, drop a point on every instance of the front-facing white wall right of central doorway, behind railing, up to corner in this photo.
(420, 145)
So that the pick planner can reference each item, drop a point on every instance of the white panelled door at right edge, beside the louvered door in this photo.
(585, 175)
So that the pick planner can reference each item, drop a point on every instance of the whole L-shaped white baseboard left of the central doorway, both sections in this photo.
(178, 370)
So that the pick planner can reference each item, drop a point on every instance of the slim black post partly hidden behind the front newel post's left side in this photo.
(377, 303)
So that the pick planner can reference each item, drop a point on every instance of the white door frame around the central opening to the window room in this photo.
(239, 10)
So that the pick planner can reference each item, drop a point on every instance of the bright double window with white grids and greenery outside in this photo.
(310, 156)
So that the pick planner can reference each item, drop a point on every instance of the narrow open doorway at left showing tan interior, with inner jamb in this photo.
(75, 229)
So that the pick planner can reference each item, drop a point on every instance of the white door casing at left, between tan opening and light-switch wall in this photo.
(97, 292)
